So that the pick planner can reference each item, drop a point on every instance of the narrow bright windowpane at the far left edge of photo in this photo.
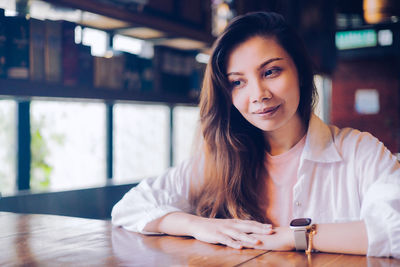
(7, 144)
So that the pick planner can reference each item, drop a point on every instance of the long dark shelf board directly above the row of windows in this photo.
(11, 88)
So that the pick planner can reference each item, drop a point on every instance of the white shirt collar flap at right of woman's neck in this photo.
(320, 146)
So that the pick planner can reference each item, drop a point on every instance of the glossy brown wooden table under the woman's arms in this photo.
(49, 240)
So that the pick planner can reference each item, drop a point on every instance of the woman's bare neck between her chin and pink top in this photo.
(284, 138)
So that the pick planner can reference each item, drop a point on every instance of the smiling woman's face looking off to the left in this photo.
(264, 84)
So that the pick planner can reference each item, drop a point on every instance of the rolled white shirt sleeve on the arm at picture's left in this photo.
(156, 197)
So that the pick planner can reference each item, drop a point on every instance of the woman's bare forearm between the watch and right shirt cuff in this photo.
(348, 238)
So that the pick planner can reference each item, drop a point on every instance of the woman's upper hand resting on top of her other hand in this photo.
(233, 233)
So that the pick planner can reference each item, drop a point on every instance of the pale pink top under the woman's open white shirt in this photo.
(282, 176)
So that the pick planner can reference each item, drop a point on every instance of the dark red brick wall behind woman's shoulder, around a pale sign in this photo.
(380, 74)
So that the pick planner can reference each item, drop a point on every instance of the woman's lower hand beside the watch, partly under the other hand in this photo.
(282, 239)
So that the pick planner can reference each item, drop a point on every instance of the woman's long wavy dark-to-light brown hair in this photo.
(234, 148)
